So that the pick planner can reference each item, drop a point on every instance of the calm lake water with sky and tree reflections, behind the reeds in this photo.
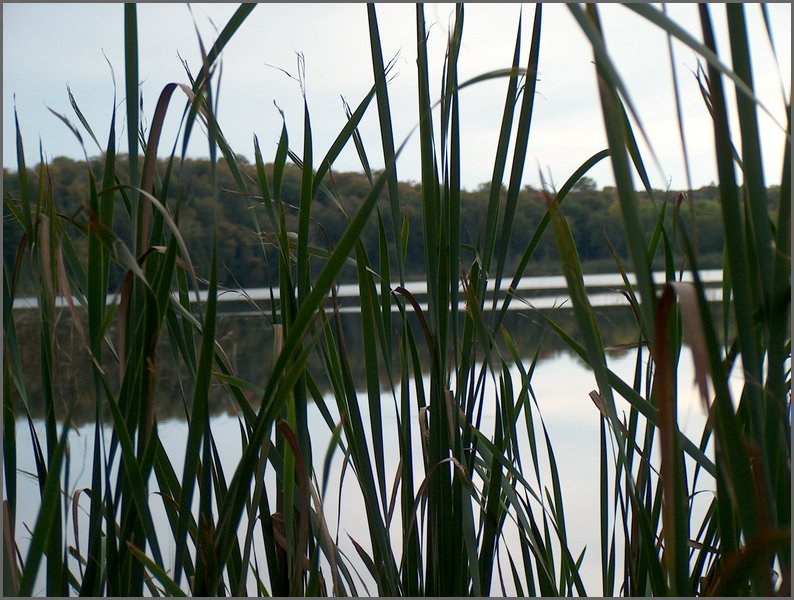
(561, 384)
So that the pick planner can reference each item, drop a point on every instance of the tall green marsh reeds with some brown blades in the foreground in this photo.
(471, 509)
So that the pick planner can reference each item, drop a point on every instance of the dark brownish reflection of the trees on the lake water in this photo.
(248, 344)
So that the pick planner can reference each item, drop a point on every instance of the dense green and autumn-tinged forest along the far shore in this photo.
(246, 258)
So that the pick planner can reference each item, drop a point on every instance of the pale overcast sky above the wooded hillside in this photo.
(47, 46)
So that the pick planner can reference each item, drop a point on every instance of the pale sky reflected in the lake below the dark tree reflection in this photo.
(561, 384)
